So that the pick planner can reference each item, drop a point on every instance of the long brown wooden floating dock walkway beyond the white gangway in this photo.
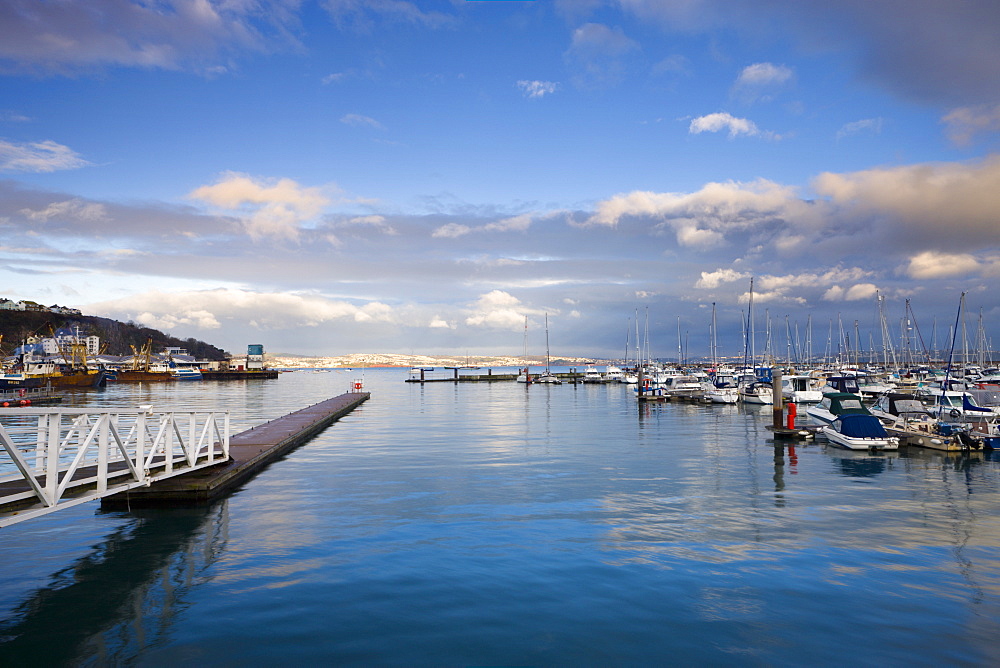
(249, 451)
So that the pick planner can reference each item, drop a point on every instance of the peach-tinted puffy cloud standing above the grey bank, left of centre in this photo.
(274, 208)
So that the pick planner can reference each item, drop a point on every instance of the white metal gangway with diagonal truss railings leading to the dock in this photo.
(55, 458)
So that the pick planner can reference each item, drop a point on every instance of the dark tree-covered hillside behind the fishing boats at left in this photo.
(117, 338)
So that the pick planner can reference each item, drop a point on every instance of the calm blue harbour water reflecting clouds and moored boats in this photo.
(494, 524)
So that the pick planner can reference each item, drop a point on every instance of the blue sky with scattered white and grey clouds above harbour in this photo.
(338, 176)
